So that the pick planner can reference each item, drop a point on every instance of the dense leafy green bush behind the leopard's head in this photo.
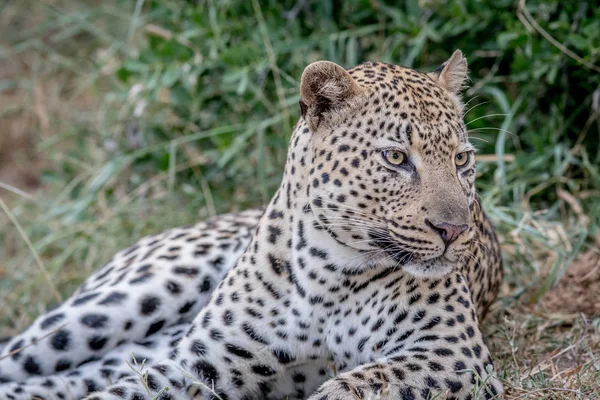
(222, 78)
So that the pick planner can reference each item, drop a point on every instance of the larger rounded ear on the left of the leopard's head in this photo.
(325, 89)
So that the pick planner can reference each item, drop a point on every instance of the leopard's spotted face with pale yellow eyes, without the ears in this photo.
(392, 175)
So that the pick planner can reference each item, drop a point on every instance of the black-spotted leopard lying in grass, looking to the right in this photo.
(366, 276)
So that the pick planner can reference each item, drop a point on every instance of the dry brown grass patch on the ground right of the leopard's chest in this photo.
(550, 349)
